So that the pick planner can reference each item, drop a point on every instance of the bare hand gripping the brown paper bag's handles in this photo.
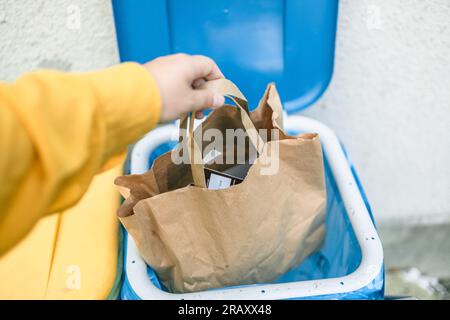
(178, 77)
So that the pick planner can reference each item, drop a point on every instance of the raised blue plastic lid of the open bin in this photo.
(254, 42)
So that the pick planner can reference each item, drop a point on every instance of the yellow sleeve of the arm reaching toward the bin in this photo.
(58, 130)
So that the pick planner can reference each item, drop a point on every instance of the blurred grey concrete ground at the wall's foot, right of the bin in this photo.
(417, 259)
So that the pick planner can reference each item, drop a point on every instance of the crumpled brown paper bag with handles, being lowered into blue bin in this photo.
(196, 239)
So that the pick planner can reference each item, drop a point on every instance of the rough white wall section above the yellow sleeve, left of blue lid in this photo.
(76, 35)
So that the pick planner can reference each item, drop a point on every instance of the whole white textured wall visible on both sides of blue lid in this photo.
(389, 100)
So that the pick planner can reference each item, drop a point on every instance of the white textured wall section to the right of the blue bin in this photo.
(389, 102)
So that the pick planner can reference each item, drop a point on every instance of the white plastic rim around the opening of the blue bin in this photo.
(371, 249)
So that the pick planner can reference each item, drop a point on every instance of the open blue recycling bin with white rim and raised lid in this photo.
(255, 42)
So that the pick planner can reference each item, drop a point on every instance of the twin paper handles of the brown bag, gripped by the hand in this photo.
(228, 89)
